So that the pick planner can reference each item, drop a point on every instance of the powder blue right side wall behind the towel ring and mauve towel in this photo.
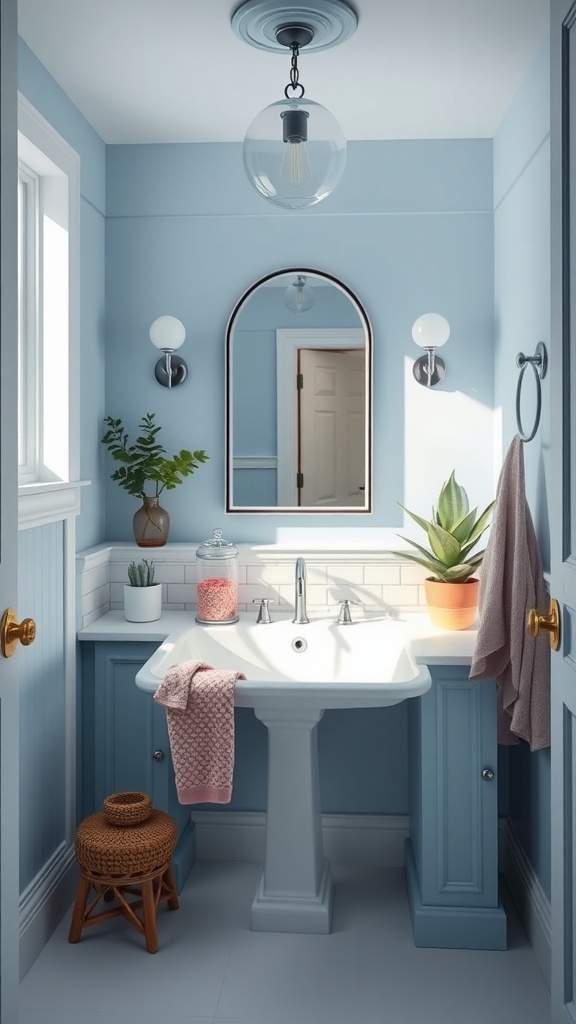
(523, 312)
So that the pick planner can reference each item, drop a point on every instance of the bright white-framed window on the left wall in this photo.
(49, 307)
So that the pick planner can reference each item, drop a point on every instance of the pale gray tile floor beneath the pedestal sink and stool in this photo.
(212, 969)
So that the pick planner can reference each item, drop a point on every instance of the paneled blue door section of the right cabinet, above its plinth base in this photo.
(456, 812)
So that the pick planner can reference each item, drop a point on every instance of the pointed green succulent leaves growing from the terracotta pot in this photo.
(454, 533)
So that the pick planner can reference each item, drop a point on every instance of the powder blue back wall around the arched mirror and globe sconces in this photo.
(409, 230)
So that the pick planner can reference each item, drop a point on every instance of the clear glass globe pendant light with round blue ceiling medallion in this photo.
(295, 151)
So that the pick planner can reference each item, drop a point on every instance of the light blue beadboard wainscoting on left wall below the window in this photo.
(48, 731)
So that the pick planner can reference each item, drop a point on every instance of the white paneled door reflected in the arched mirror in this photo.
(332, 429)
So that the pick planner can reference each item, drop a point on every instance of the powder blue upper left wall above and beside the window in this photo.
(54, 105)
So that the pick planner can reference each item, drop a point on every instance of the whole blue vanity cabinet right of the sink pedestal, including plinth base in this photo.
(452, 854)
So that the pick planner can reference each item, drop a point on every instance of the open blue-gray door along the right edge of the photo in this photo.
(563, 510)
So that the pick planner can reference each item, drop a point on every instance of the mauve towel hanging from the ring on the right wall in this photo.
(511, 584)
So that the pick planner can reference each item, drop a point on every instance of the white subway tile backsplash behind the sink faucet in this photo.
(378, 581)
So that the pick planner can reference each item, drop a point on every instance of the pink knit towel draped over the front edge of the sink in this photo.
(199, 703)
